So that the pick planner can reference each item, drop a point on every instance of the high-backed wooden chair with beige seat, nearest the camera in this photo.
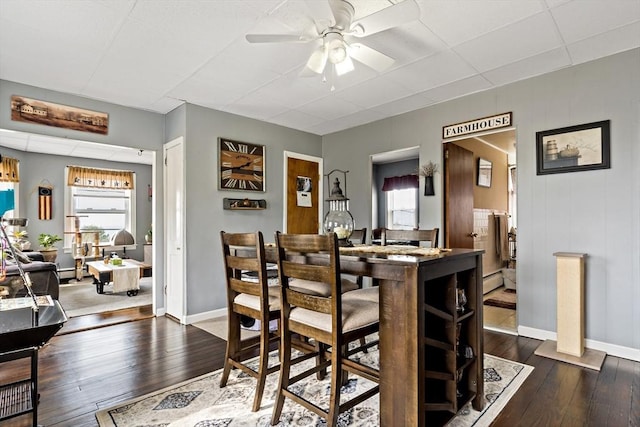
(331, 321)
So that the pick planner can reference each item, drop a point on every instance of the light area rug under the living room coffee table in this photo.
(81, 298)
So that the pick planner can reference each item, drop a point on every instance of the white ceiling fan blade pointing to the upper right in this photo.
(392, 16)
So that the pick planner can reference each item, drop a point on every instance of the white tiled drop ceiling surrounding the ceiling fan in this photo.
(155, 55)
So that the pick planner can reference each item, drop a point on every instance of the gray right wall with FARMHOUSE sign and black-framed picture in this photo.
(593, 212)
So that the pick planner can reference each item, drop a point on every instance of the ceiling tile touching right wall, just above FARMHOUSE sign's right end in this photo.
(529, 67)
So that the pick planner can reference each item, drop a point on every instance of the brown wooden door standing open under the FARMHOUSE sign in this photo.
(458, 204)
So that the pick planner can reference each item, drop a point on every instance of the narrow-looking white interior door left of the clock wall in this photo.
(175, 282)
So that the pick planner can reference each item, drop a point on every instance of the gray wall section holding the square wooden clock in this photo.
(205, 217)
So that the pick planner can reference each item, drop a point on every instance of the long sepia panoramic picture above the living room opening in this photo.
(62, 116)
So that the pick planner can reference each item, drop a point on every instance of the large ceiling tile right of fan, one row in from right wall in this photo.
(512, 43)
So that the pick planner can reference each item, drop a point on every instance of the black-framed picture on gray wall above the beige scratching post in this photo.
(573, 148)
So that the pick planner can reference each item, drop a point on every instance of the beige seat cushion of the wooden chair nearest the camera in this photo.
(356, 313)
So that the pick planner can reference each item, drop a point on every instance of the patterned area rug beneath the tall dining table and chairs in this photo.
(201, 402)
